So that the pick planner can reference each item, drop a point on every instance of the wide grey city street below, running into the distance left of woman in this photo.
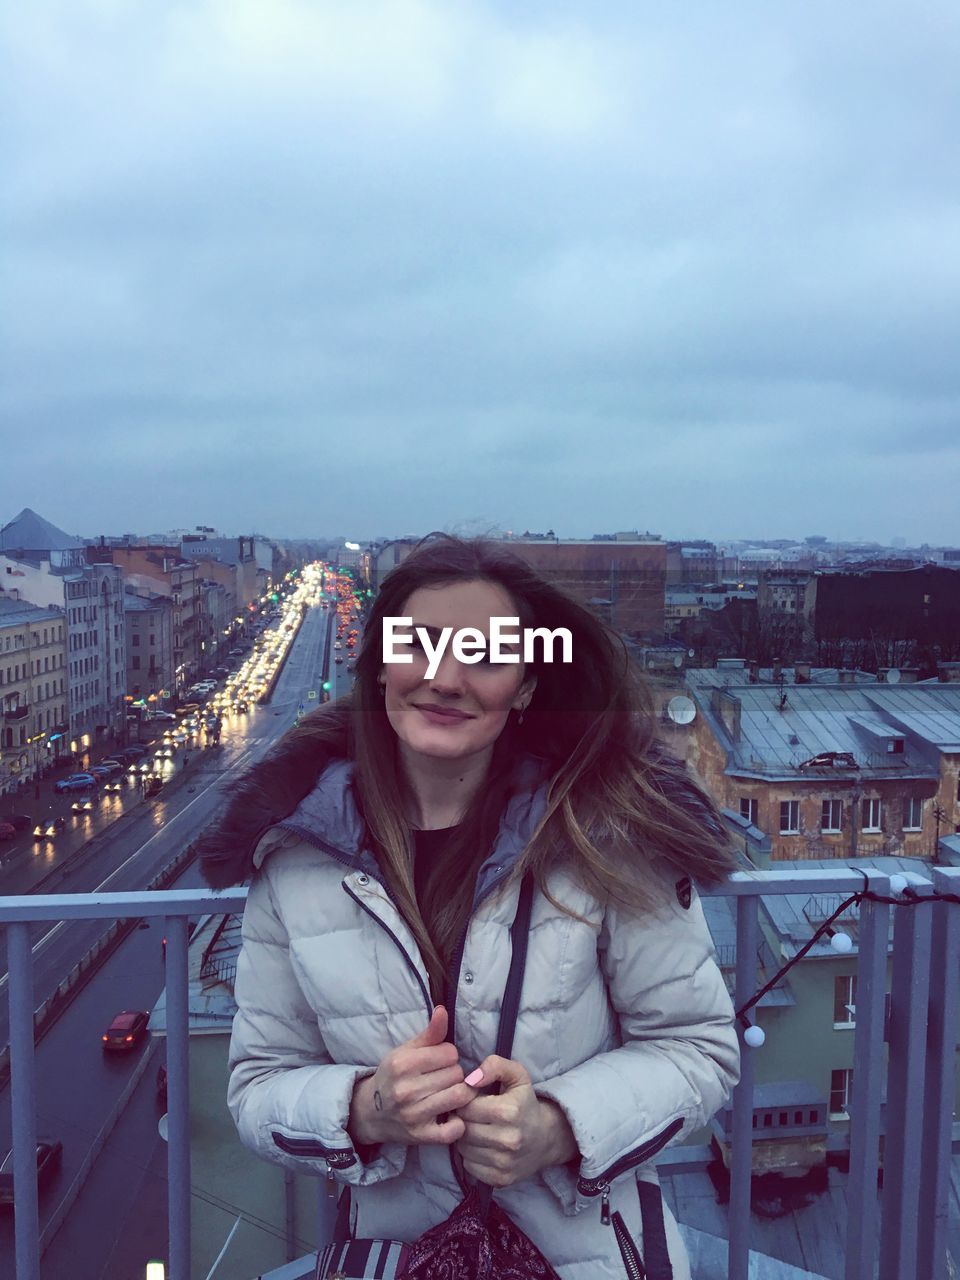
(77, 1084)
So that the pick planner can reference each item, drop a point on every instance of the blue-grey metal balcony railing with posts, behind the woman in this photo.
(898, 1235)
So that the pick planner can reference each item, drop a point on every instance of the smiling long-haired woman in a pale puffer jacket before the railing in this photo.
(387, 838)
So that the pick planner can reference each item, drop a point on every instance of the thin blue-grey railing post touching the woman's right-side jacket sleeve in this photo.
(742, 1146)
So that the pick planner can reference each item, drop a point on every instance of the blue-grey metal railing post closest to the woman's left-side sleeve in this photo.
(179, 1096)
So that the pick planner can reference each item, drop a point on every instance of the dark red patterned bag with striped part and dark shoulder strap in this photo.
(478, 1241)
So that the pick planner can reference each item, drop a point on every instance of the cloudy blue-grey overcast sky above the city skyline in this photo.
(313, 268)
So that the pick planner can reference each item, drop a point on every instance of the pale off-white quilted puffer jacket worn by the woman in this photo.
(624, 1022)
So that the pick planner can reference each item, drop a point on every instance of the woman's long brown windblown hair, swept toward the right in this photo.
(615, 812)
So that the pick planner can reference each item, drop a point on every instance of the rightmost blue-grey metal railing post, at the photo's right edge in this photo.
(939, 1087)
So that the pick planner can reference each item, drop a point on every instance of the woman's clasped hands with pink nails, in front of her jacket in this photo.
(419, 1095)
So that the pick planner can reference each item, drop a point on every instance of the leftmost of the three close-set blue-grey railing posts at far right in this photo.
(863, 1210)
